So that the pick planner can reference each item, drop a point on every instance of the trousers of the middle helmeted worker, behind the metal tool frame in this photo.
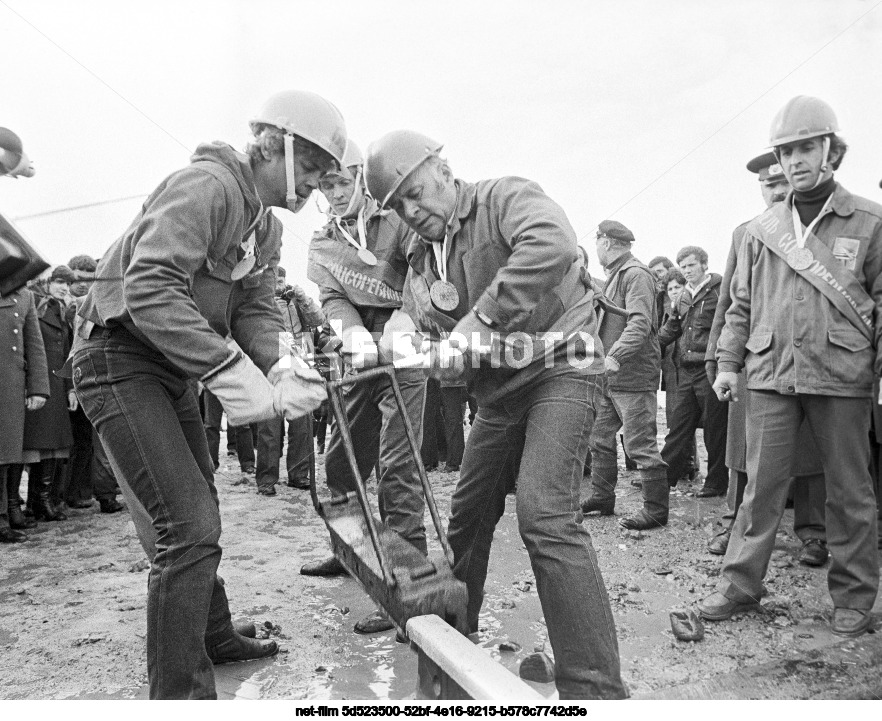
(378, 435)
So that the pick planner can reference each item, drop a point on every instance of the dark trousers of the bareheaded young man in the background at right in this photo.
(696, 400)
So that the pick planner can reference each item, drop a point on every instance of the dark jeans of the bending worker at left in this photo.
(147, 417)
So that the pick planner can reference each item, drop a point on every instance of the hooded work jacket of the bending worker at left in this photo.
(167, 279)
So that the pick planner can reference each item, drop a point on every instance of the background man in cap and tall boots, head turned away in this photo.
(626, 396)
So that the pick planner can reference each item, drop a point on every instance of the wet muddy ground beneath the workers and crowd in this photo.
(72, 604)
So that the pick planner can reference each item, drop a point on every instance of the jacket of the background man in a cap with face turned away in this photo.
(631, 341)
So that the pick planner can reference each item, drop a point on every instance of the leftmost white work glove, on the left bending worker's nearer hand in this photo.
(244, 392)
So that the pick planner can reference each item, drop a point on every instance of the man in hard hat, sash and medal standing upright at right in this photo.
(806, 299)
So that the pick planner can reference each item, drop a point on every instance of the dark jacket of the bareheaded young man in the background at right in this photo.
(691, 322)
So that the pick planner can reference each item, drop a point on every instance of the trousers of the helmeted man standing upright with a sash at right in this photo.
(841, 429)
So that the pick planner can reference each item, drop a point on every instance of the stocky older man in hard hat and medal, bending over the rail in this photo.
(499, 257)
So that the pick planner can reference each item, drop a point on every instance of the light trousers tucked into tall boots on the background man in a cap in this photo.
(635, 413)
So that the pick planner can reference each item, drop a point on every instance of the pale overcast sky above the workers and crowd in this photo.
(642, 111)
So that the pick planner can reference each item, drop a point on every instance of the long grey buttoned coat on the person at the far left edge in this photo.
(22, 369)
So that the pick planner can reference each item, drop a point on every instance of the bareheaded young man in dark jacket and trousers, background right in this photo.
(689, 325)
